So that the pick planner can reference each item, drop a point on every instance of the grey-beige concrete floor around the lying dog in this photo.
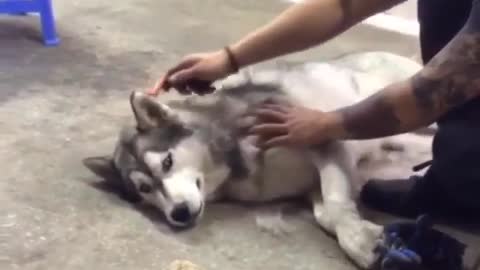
(60, 105)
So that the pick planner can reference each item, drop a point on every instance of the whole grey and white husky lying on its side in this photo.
(183, 152)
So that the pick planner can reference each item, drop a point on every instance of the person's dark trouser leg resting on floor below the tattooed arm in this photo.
(450, 188)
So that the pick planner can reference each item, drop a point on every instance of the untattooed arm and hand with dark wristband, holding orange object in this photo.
(299, 27)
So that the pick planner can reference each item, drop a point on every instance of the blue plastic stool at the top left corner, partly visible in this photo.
(43, 7)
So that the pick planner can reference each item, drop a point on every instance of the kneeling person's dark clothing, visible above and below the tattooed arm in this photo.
(451, 185)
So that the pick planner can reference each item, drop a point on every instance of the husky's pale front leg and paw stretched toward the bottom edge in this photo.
(337, 211)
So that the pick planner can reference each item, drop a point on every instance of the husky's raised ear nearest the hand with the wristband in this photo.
(149, 113)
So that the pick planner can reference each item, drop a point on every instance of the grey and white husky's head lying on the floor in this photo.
(159, 161)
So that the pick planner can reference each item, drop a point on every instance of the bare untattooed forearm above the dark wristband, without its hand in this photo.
(304, 25)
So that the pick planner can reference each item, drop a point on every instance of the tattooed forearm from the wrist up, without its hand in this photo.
(450, 79)
